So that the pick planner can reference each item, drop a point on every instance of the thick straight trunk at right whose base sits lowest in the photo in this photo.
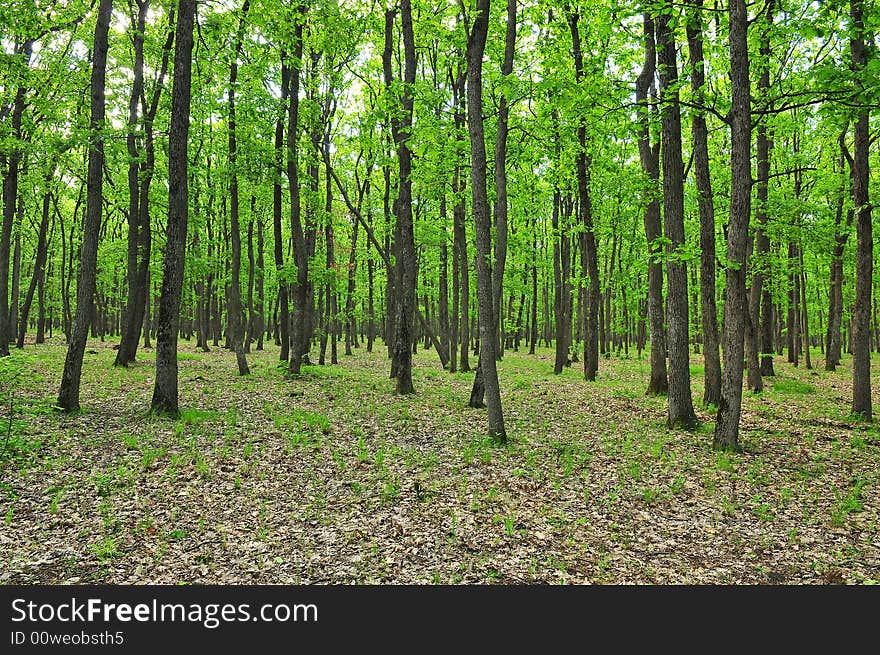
(735, 301)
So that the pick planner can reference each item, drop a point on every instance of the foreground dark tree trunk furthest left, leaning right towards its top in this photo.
(68, 393)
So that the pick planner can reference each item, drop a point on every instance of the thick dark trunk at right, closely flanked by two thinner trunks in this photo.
(681, 409)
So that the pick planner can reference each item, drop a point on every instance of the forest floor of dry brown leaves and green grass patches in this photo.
(331, 478)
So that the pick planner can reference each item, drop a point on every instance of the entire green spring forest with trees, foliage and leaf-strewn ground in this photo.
(439, 292)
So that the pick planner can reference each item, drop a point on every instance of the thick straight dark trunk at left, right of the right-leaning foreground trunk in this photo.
(165, 395)
